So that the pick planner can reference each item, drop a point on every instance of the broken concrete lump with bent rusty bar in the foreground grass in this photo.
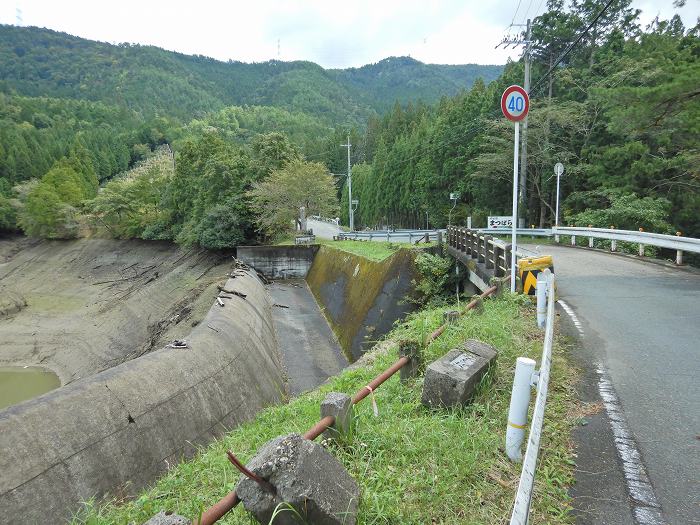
(306, 477)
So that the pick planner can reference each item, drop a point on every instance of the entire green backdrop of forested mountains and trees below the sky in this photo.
(88, 131)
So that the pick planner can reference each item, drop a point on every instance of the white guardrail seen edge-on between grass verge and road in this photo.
(523, 496)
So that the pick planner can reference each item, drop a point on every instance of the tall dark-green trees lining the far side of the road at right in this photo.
(622, 114)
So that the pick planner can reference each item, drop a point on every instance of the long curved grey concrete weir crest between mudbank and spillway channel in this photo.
(116, 431)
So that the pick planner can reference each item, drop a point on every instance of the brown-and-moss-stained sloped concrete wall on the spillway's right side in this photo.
(362, 298)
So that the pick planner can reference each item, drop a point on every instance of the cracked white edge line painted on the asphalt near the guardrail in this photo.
(645, 507)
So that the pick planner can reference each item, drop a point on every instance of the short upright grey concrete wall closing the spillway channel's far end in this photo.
(278, 262)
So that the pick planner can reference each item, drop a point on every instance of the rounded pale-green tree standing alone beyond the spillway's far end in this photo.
(277, 199)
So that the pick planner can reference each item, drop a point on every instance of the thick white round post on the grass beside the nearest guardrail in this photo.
(519, 403)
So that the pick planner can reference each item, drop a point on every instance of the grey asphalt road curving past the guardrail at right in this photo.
(639, 323)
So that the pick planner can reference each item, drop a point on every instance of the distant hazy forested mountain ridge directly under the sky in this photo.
(40, 62)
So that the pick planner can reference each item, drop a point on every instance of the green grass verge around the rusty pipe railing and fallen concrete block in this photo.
(414, 465)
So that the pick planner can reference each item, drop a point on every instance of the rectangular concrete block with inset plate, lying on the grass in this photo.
(452, 379)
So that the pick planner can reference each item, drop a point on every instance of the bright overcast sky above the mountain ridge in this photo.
(328, 32)
